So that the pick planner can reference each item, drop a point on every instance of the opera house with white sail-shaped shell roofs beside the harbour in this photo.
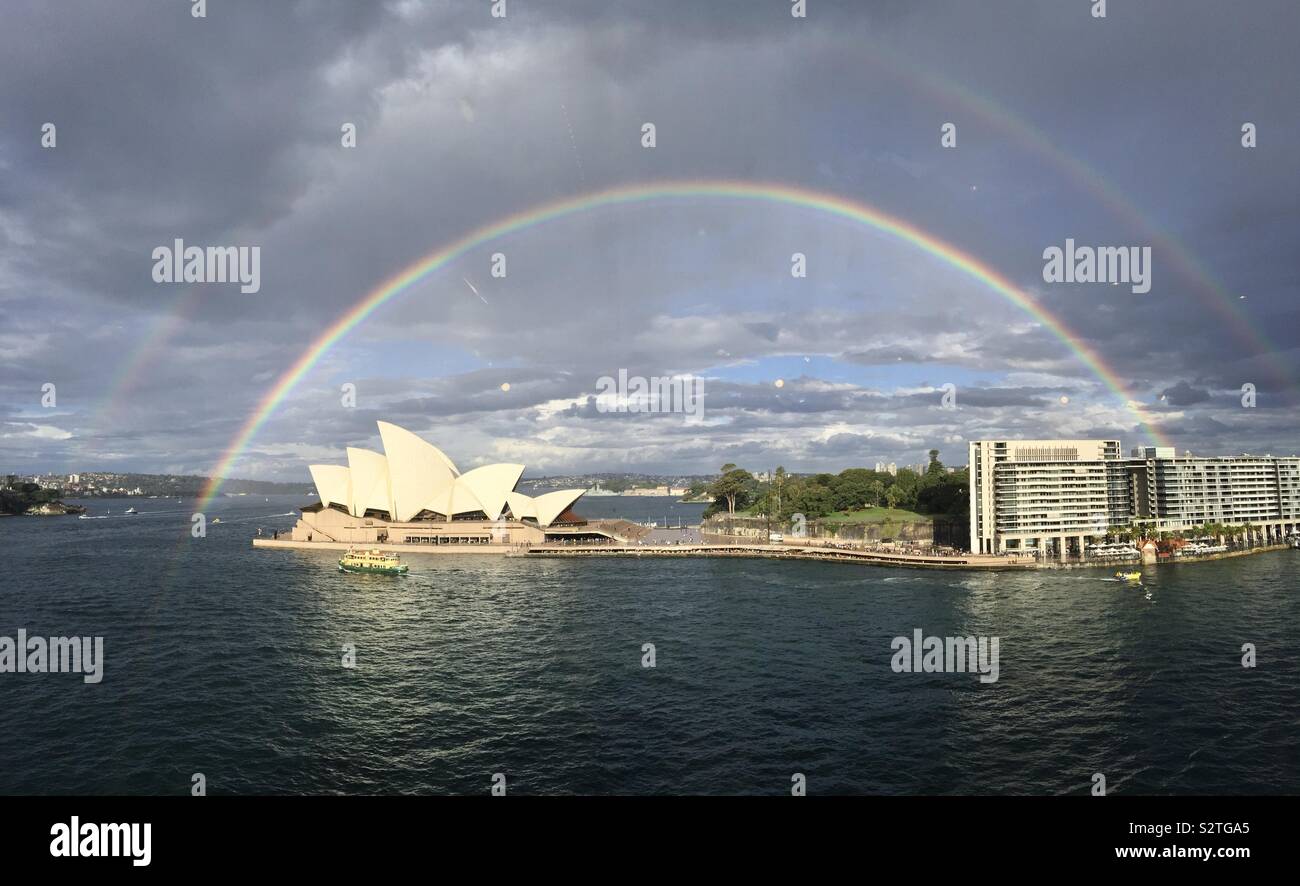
(413, 494)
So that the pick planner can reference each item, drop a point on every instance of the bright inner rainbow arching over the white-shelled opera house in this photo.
(668, 190)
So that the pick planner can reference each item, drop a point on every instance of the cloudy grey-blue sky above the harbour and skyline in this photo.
(227, 131)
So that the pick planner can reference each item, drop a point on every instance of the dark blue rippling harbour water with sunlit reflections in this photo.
(227, 661)
